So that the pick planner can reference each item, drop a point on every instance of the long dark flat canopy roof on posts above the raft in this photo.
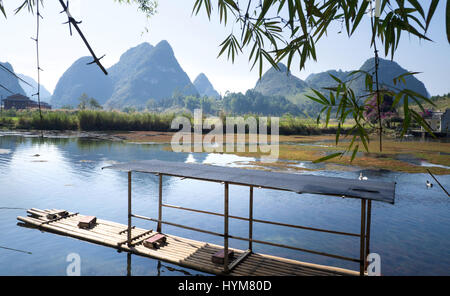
(299, 183)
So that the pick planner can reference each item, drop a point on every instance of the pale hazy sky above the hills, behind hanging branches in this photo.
(112, 28)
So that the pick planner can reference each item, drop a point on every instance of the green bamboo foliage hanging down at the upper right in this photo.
(276, 30)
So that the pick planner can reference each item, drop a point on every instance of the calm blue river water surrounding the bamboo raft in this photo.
(412, 236)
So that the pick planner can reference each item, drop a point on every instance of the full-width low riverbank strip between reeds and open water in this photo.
(411, 156)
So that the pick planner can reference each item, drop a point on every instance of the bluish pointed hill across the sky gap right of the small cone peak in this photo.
(280, 83)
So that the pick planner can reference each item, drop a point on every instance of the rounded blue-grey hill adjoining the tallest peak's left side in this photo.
(82, 78)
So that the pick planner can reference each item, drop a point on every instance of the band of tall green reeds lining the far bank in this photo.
(99, 120)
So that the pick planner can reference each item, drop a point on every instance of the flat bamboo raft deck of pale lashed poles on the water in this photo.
(180, 251)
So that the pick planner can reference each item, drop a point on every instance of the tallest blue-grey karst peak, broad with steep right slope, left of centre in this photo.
(145, 72)
